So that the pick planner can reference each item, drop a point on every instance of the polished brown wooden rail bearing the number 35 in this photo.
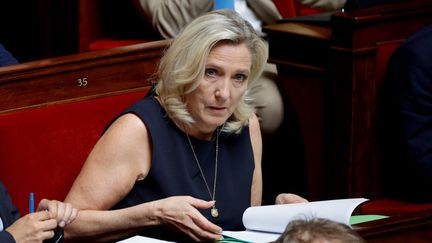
(98, 73)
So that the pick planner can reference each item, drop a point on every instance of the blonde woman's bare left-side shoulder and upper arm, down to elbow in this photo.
(120, 158)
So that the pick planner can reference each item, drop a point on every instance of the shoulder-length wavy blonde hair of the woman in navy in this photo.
(184, 63)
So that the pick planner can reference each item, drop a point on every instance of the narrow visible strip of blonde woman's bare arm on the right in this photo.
(255, 133)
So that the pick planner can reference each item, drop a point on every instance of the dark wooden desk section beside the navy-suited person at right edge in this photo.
(359, 40)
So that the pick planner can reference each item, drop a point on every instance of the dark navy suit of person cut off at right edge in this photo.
(406, 126)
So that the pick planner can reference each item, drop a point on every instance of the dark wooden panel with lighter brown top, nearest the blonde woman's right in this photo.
(300, 67)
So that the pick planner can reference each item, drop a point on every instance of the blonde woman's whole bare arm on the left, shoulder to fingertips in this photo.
(120, 158)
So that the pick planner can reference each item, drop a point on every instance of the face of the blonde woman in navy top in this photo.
(225, 80)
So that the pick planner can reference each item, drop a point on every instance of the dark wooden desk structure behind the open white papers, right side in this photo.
(333, 75)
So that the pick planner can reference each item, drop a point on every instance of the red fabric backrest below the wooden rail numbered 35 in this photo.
(43, 149)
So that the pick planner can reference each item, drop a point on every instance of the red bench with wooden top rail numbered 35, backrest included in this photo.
(53, 111)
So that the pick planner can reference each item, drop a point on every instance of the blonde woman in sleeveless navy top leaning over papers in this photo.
(184, 162)
